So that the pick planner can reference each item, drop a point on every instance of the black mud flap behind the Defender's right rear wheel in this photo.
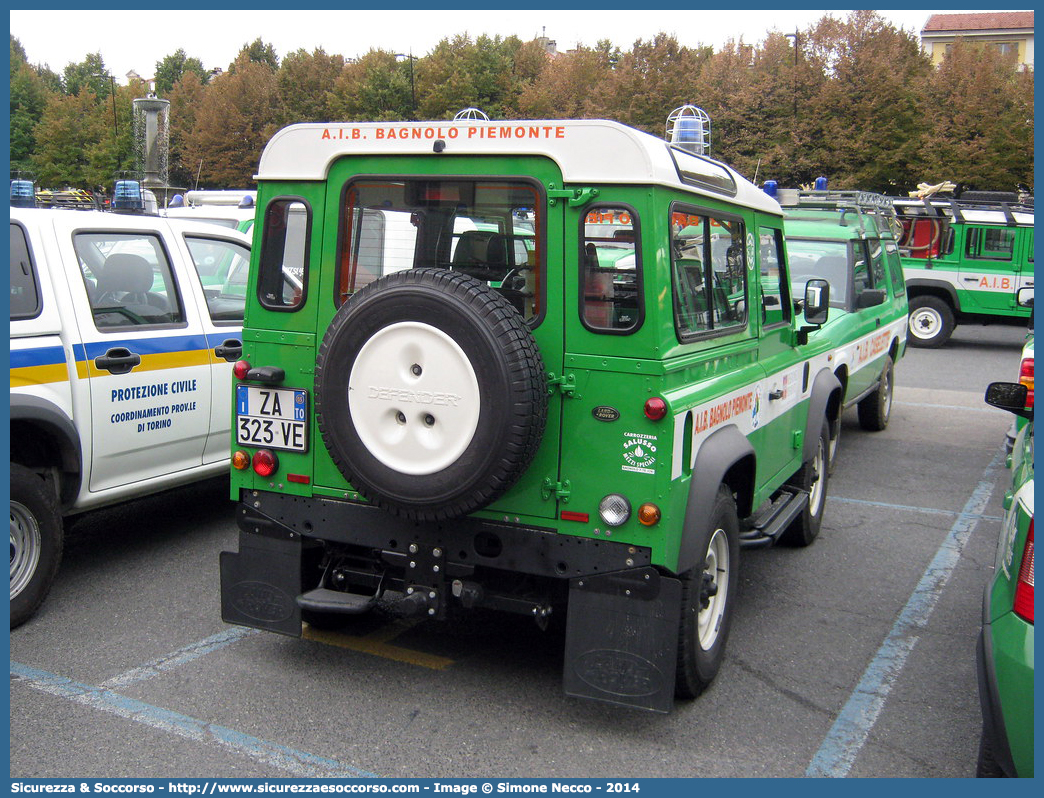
(622, 639)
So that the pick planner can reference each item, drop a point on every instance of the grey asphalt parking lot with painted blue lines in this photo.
(855, 658)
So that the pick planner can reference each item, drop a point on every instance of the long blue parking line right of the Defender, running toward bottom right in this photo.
(849, 733)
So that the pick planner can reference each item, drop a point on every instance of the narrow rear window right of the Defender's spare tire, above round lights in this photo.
(610, 270)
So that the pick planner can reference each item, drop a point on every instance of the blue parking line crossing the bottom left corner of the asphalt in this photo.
(298, 764)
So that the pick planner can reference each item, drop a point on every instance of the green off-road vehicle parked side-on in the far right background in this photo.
(965, 261)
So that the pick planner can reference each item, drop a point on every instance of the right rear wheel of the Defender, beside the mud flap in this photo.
(708, 592)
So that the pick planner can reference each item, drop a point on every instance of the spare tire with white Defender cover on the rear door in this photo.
(431, 394)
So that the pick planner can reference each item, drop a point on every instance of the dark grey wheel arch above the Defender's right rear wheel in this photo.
(726, 457)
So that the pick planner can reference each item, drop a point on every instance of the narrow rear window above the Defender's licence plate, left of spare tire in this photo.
(283, 265)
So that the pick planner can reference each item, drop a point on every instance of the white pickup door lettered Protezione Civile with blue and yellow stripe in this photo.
(144, 353)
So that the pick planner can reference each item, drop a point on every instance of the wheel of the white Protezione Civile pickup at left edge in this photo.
(36, 543)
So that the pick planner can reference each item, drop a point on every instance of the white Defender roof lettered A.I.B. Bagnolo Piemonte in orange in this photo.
(589, 152)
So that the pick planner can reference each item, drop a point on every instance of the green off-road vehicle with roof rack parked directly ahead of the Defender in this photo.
(848, 239)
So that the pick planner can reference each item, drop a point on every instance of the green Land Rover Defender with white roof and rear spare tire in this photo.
(548, 368)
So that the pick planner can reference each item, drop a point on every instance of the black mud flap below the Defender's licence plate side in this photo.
(260, 584)
